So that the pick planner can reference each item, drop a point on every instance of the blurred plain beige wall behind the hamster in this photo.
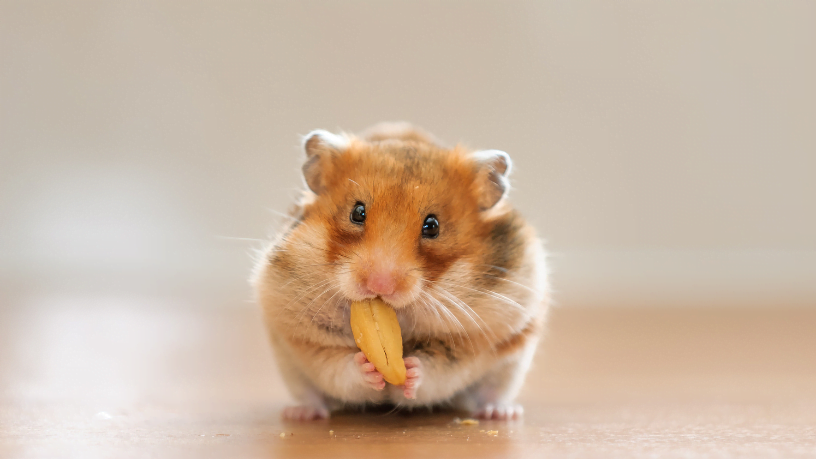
(666, 150)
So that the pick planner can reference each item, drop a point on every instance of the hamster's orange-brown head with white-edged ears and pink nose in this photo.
(391, 216)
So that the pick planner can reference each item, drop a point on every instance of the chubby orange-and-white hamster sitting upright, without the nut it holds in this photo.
(392, 213)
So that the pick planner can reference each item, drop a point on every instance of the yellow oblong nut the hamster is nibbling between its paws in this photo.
(377, 333)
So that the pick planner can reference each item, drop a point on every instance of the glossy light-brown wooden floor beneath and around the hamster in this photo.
(127, 377)
